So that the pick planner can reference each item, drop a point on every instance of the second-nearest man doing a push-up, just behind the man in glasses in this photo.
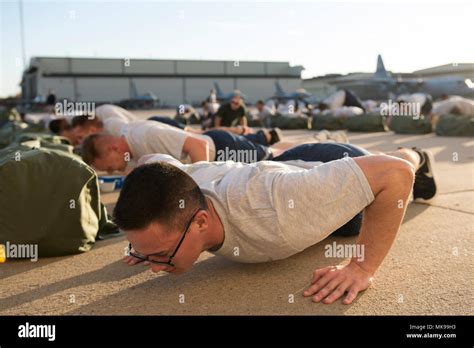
(113, 152)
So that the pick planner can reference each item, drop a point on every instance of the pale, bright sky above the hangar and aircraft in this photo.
(324, 37)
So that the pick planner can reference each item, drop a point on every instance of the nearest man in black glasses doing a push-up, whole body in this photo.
(271, 210)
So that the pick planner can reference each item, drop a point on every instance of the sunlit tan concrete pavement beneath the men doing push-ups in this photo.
(428, 270)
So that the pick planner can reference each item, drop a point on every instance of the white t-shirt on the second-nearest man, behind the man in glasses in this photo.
(151, 137)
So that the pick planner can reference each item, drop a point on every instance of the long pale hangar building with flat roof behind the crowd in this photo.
(172, 81)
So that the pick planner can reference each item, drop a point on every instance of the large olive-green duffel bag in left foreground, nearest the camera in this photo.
(50, 199)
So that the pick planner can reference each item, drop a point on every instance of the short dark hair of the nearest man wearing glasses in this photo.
(157, 192)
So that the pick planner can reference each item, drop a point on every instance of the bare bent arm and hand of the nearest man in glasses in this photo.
(391, 182)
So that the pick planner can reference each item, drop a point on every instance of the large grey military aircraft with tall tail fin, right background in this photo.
(383, 85)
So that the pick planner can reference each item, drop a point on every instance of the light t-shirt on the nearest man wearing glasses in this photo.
(272, 210)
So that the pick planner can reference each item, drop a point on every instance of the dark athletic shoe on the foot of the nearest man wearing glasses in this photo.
(425, 182)
